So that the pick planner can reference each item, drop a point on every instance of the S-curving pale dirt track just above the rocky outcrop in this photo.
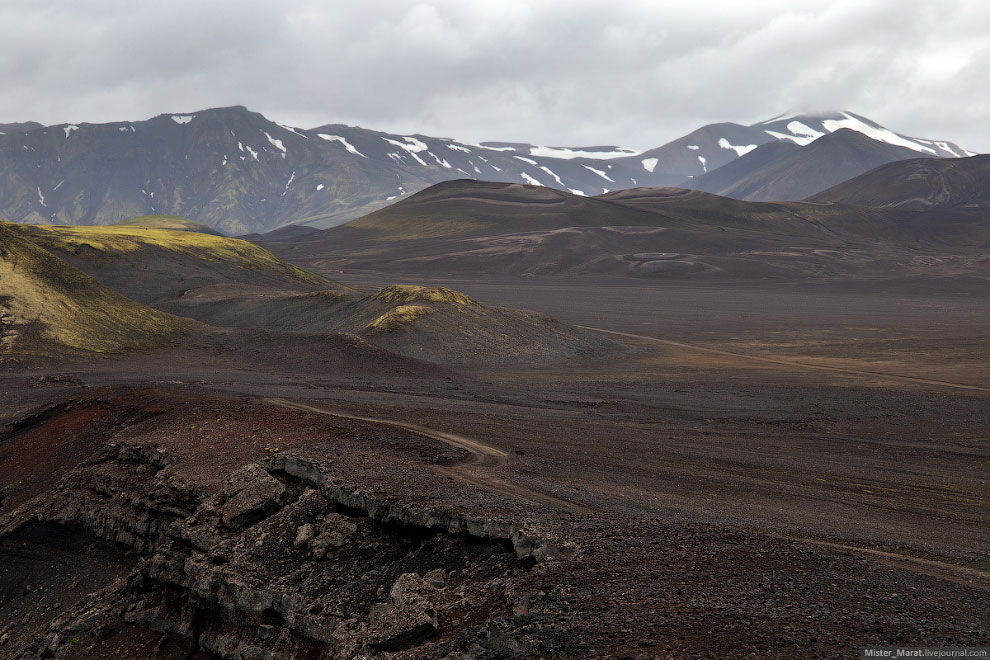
(480, 455)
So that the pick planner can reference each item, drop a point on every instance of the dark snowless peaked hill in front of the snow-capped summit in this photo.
(782, 171)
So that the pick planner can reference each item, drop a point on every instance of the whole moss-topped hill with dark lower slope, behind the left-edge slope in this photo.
(153, 265)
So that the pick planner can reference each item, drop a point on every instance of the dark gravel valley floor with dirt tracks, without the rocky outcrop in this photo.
(763, 471)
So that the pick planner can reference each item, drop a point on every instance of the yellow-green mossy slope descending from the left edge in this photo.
(43, 298)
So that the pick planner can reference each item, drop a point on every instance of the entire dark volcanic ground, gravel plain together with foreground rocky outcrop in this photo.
(779, 470)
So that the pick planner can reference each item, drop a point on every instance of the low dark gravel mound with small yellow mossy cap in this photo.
(433, 324)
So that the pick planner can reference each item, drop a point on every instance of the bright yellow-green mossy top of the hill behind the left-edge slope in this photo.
(123, 239)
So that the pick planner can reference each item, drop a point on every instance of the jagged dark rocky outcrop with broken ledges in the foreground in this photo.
(281, 560)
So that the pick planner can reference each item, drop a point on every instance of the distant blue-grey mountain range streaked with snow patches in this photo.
(239, 172)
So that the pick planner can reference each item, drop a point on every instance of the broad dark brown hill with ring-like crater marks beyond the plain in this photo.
(481, 229)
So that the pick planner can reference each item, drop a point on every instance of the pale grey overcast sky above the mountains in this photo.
(634, 73)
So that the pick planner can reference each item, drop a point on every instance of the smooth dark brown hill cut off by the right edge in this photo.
(961, 184)
